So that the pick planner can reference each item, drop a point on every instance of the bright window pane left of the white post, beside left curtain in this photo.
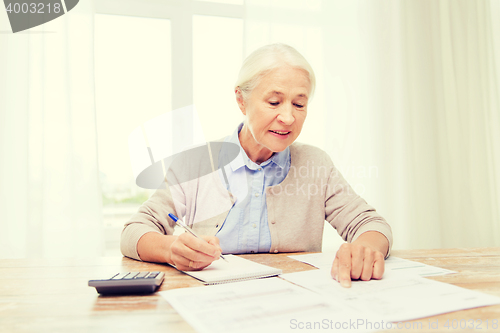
(132, 85)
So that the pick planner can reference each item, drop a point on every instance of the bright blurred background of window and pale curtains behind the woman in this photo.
(407, 105)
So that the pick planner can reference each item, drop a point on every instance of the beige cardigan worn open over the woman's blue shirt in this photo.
(312, 192)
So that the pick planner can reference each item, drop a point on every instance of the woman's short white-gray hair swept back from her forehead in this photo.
(264, 60)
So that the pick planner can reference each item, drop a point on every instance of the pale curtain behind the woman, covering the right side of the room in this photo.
(407, 106)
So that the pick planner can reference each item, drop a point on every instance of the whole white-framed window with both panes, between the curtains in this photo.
(151, 58)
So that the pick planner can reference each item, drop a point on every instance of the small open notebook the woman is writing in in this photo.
(235, 269)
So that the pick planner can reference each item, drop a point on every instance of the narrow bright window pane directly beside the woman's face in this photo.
(216, 62)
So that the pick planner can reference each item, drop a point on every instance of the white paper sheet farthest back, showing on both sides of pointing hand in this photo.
(325, 260)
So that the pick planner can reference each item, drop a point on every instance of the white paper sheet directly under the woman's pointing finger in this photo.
(397, 297)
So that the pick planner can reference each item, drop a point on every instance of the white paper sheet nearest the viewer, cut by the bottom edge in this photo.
(265, 305)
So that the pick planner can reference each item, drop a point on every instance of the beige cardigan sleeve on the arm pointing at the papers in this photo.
(350, 214)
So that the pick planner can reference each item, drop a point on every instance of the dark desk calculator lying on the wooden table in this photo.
(129, 283)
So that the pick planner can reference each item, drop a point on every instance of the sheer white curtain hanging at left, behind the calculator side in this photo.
(50, 201)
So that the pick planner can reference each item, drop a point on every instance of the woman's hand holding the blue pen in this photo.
(189, 253)
